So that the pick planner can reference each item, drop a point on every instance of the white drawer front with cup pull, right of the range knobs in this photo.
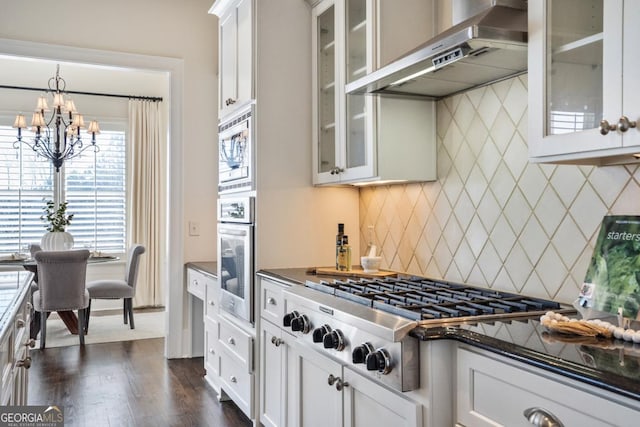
(494, 391)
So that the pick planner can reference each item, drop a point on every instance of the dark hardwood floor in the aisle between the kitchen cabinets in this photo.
(127, 383)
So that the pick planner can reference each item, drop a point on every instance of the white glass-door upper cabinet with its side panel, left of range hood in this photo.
(360, 138)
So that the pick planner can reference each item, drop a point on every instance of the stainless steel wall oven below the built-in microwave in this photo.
(236, 255)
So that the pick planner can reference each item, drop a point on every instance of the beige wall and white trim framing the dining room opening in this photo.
(161, 35)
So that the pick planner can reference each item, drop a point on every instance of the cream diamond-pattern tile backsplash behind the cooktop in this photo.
(492, 218)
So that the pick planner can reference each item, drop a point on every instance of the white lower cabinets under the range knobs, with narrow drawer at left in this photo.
(301, 387)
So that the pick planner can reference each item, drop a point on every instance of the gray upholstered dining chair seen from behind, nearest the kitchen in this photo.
(62, 277)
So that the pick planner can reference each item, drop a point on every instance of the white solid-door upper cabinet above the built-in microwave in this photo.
(236, 53)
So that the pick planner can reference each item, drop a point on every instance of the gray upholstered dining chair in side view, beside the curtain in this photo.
(117, 289)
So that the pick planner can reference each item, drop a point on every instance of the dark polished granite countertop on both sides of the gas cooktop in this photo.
(613, 365)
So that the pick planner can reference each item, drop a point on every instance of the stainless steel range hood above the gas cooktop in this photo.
(489, 46)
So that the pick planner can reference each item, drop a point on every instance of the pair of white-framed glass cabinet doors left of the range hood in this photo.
(343, 136)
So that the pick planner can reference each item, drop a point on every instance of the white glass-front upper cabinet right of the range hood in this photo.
(583, 81)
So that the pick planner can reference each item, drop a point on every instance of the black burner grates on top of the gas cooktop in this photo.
(422, 299)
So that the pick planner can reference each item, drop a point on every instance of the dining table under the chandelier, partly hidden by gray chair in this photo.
(68, 317)
